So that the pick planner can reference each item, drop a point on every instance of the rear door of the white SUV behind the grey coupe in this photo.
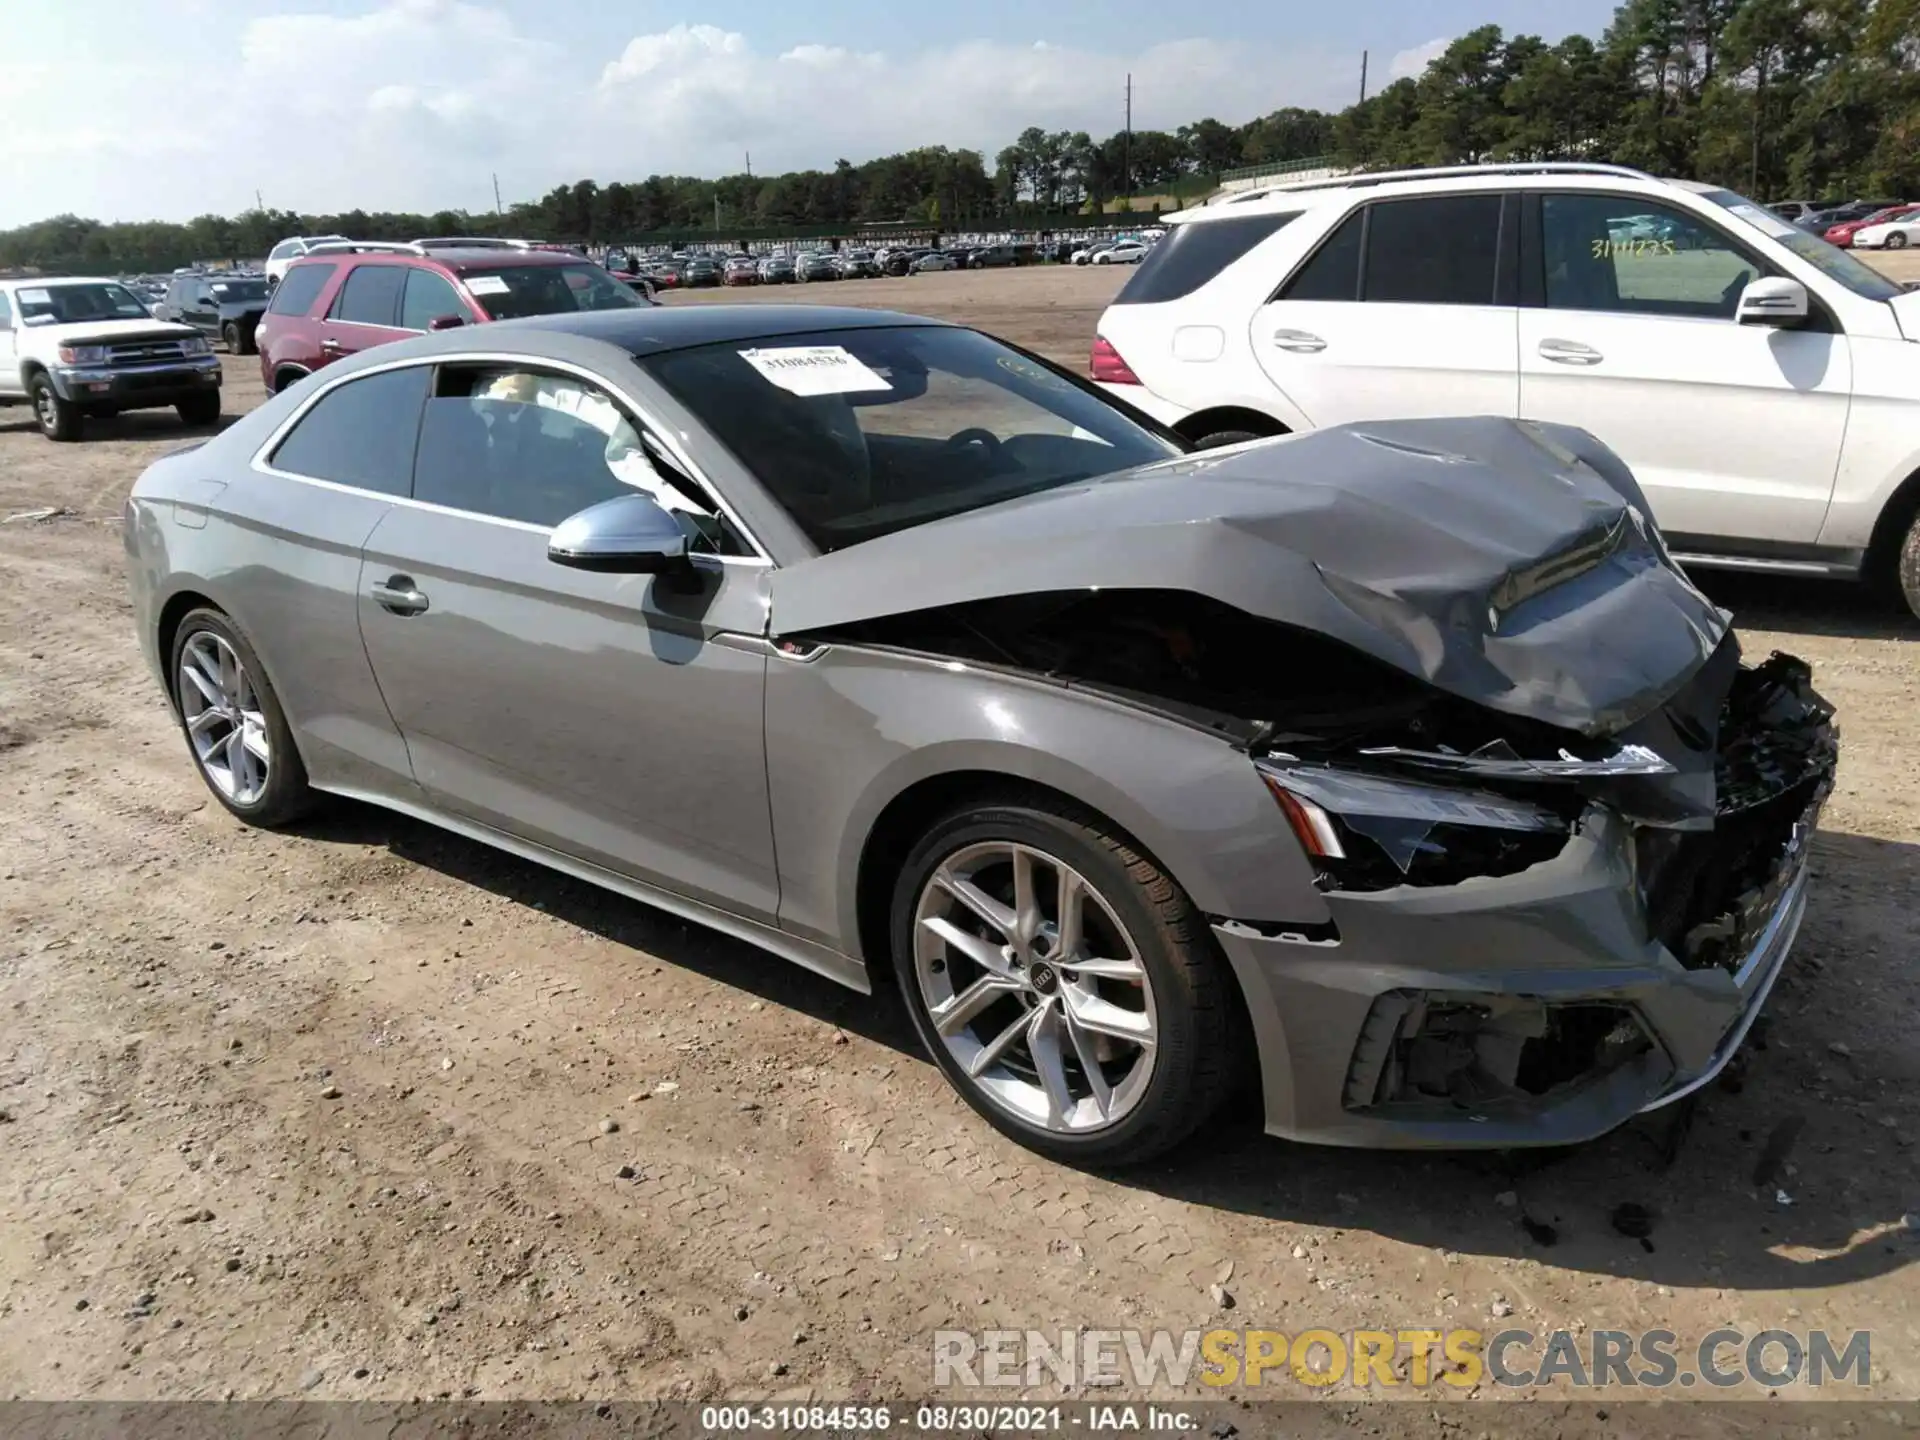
(1404, 310)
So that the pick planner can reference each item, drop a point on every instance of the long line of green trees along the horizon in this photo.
(1777, 99)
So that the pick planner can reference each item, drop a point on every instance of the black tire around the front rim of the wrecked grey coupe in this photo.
(1199, 1047)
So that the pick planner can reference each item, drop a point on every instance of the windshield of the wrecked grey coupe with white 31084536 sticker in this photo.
(863, 433)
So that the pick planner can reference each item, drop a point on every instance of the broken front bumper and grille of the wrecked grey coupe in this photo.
(1558, 1001)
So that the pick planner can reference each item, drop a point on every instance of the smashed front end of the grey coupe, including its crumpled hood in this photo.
(1558, 830)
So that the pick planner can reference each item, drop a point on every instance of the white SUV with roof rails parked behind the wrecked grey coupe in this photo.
(1764, 385)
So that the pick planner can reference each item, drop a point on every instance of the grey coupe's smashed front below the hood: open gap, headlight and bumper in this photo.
(1535, 934)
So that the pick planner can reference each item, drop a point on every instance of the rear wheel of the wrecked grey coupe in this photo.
(233, 723)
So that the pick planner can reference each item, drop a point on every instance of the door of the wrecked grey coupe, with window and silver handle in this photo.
(610, 717)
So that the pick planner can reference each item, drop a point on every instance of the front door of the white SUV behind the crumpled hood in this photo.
(1733, 431)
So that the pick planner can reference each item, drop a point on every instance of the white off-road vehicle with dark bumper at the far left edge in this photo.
(80, 348)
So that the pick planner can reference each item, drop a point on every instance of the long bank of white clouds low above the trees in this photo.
(418, 105)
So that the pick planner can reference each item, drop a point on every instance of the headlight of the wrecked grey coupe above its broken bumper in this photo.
(1370, 834)
